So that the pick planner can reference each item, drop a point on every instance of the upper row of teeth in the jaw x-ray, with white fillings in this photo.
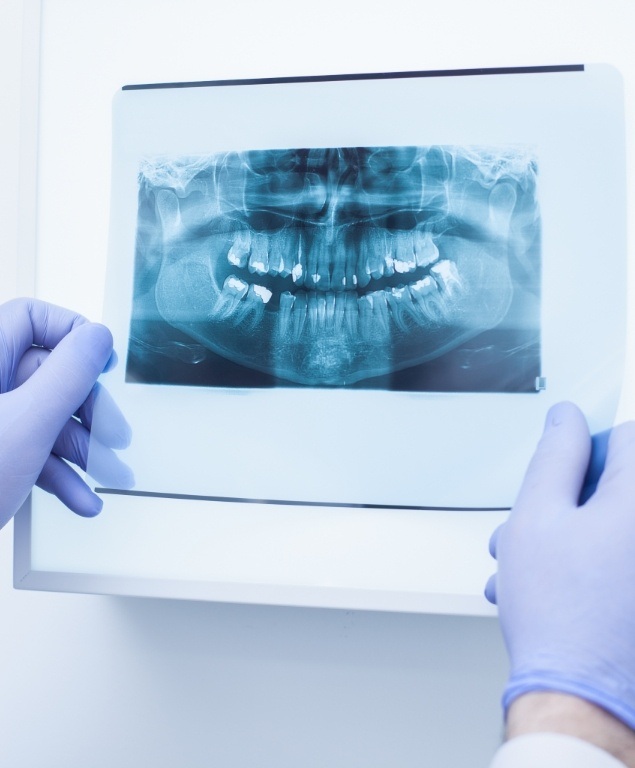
(379, 254)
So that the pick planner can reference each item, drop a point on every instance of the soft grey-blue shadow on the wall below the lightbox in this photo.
(249, 686)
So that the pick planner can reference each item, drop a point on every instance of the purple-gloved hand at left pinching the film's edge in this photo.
(50, 359)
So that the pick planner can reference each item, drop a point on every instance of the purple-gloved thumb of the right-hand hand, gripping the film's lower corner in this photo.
(556, 471)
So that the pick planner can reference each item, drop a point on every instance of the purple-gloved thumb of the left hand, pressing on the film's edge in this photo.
(64, 380)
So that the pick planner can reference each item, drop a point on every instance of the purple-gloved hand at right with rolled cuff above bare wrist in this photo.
(565, 586)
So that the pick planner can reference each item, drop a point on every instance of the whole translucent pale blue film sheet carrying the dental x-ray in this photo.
(363, 290)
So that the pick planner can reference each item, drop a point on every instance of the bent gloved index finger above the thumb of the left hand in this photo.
(32, 321)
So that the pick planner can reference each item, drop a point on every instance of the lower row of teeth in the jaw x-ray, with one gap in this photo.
(330, 310)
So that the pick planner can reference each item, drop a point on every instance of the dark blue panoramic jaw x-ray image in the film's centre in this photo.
(414, 268)
